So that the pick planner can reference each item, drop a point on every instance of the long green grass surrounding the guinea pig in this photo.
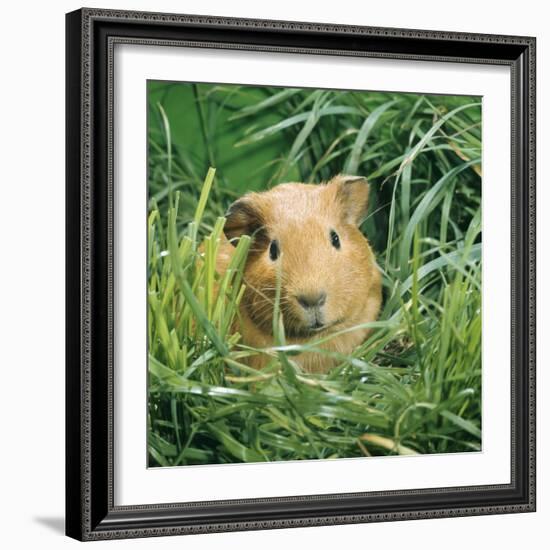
(415, 385)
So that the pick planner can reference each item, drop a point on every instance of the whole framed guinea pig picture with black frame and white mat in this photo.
(300, 274)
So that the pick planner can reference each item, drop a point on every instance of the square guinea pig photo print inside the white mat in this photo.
(314, 273)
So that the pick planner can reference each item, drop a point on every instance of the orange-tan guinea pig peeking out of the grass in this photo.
(308, 235)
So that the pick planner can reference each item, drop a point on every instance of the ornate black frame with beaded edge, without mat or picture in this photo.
(90, 40)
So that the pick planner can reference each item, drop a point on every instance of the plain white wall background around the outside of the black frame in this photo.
(32, 272)
